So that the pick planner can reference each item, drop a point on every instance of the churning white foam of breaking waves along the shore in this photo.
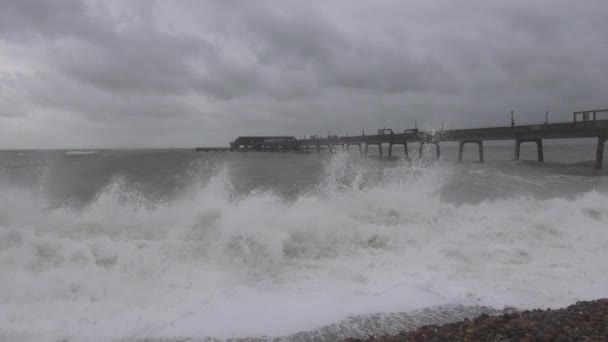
(207, 265)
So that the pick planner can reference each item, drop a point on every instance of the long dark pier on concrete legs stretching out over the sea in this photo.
(584, 124)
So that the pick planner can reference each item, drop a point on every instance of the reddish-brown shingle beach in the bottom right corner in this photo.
(583, 321)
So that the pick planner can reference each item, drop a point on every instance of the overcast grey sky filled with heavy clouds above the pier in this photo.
(185, 73)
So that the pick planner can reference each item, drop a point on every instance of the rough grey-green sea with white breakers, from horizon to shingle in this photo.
(175, 245)
